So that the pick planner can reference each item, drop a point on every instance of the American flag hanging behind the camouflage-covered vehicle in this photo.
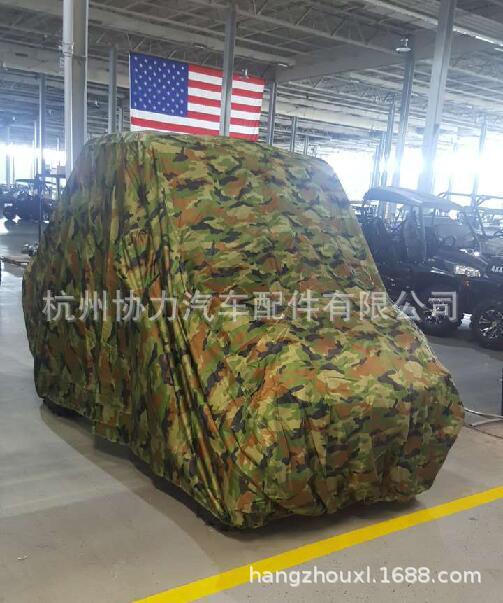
(180, 97)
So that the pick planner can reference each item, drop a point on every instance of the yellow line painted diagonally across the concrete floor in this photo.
(309, 552)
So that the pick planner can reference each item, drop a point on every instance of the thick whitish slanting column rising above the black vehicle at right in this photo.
(436, 97)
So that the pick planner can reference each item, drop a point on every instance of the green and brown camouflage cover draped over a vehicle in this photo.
(255, 418)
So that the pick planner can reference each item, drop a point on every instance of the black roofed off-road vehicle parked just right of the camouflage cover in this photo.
(424, 256)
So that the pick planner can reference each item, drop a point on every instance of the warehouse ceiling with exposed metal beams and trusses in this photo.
(335, 60)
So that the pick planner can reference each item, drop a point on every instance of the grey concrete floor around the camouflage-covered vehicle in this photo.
(79, 522)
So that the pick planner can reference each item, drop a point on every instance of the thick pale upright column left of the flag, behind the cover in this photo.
(75, 20)
